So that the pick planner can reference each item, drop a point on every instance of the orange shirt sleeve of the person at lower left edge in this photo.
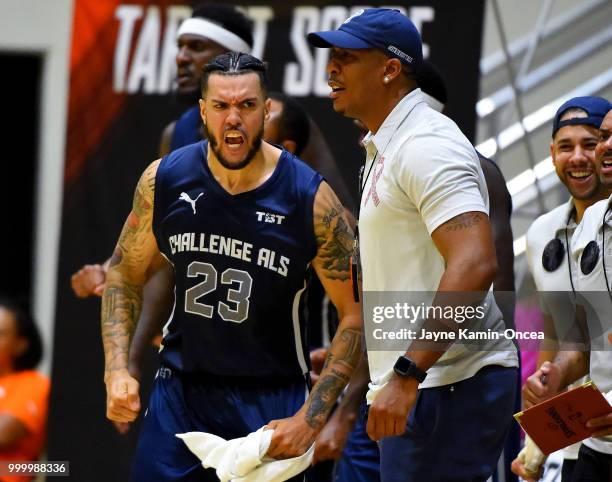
(27, 401)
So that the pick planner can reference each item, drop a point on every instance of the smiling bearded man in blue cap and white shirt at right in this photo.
(574, 137)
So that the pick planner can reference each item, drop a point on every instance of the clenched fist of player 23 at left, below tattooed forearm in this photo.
(122, 398)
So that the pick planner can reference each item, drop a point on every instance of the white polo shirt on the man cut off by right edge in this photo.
(598, 303)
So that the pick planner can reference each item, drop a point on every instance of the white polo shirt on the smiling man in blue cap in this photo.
(559, 306)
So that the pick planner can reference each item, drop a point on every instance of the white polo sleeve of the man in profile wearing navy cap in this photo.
(442, 178)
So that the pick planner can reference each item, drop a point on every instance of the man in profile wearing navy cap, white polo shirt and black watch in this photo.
(423, 228)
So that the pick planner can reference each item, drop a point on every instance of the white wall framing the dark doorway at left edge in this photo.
(44, 27)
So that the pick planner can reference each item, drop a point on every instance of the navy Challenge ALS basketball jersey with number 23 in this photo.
(239, 262)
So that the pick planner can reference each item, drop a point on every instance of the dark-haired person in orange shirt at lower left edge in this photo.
(23, 391)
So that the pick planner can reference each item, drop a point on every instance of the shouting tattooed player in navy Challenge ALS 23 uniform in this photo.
(240, 221)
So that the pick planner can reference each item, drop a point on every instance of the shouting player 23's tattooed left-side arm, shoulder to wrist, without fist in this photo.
(122, 298)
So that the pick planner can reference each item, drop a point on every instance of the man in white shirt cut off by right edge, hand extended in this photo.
(589, 253)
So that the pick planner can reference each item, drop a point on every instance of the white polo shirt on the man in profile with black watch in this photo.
(420, 172)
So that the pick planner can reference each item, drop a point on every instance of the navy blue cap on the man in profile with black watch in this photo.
(380, 28)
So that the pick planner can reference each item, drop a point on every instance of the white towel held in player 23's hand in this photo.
(244, 459)
